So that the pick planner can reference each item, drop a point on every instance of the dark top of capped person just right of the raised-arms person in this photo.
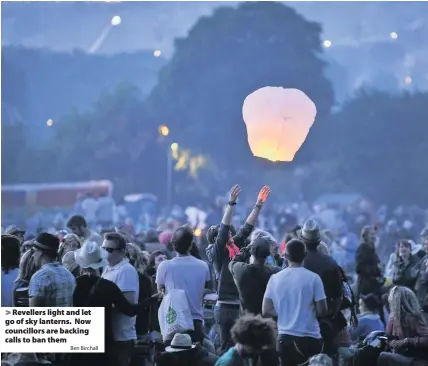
(251, 280)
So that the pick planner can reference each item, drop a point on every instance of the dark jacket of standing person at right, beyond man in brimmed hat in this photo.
(368, 271)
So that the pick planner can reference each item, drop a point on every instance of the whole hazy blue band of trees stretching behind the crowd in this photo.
(375, 143)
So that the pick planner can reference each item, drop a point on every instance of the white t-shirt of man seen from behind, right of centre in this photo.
(293, 292)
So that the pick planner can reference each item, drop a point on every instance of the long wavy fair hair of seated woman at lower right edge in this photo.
(402, 303)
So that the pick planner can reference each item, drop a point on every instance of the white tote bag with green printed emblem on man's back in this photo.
(174, 314)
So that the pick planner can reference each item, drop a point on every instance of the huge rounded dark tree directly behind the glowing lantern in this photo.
(224, 58)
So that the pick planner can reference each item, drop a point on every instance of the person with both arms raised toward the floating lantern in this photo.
(224, 246)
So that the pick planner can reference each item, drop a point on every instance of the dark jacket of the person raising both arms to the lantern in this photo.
(218, 255)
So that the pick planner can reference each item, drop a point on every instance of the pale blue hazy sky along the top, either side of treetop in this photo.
(154, 25)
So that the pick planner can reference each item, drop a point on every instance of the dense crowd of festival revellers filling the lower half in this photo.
(309, 298)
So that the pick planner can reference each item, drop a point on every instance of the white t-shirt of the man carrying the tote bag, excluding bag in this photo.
(189, 274)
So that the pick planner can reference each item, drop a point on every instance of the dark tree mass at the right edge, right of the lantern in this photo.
(382, 142)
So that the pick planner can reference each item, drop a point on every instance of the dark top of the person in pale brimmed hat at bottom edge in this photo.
(198, 356)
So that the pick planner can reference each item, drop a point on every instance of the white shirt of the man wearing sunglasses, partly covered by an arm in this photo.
(125, 277)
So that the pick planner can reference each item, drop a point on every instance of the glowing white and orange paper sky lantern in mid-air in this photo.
(278, 121)
